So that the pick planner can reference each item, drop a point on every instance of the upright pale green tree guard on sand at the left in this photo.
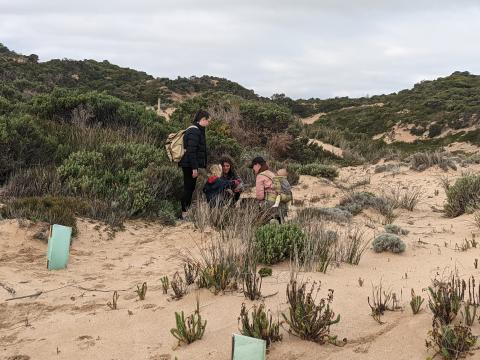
(58, 247)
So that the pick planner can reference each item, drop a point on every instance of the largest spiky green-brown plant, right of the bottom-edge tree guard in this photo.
(308, 318)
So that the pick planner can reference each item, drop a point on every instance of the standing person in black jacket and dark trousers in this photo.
(195, 156)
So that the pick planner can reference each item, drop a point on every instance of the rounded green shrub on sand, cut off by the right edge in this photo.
(463, 196)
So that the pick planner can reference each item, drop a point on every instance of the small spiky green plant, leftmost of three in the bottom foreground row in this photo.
(189, 329)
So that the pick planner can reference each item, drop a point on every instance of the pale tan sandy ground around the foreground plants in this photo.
(70, 320)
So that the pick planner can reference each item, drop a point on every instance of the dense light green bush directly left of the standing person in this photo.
(130, 174)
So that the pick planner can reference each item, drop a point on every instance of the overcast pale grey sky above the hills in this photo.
(303, 48)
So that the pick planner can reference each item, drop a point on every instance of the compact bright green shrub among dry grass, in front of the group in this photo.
(276, 242)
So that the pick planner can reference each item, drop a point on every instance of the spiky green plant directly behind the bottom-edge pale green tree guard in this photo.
(259, 324)
